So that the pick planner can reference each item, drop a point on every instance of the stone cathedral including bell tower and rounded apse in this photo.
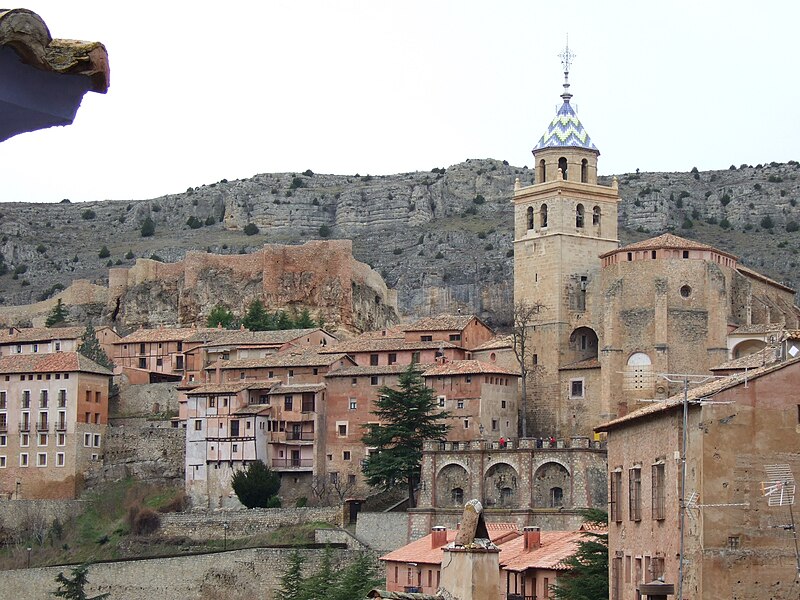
(610, 322)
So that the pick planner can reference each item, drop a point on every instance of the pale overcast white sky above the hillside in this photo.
(202, 91)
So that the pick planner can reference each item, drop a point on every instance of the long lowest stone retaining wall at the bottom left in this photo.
(233, 575)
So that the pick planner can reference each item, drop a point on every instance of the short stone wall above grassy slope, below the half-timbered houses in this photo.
(203, 525)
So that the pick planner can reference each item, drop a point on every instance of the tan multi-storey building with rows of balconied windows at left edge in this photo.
(53, 418)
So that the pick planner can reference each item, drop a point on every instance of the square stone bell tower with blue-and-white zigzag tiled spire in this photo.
(562, 224)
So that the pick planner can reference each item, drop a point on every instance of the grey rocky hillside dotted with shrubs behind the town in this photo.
(441, 238)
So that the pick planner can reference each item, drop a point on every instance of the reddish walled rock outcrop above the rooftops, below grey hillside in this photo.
(320, 276)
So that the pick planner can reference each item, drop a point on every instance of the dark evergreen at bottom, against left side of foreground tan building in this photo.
(587, 578)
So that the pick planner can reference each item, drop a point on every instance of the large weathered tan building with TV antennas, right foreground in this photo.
(735, 545)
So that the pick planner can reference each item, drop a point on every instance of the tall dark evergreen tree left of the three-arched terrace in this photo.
(407, 416)
